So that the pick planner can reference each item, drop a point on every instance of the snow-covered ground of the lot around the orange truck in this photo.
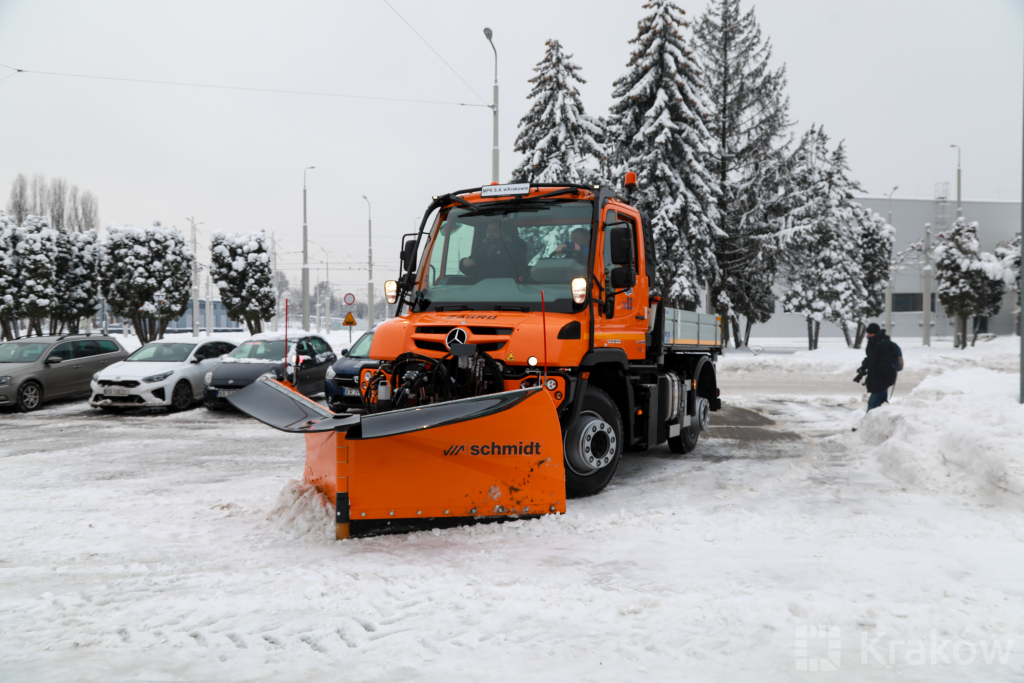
(174, 548)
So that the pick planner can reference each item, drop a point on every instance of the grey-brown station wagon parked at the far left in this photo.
(36, 370)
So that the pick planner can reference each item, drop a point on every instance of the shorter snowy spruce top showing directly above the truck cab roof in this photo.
(561, 142)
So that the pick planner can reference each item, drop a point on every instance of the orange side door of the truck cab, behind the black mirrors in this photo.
(627, 329)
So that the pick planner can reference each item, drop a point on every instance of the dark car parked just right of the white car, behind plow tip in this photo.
(310, 357)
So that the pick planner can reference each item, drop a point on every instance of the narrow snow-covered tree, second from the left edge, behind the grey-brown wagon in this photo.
(38, 257)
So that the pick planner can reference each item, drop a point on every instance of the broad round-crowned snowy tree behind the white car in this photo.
(147, 275)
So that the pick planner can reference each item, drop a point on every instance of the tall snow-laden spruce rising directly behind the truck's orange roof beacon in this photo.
(659, 119)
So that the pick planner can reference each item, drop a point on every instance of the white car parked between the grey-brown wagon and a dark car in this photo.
(164, 373)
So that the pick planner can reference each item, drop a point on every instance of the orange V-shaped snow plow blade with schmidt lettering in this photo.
(483, 459)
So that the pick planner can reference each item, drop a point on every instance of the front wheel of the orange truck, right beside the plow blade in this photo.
(593, 446)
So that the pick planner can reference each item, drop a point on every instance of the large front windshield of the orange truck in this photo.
(506, 257)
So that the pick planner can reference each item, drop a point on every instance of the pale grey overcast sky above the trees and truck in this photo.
(899, 80)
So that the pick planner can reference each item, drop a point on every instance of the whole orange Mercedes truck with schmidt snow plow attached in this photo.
(527, 355)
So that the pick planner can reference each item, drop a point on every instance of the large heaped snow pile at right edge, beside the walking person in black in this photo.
(960, 433)
